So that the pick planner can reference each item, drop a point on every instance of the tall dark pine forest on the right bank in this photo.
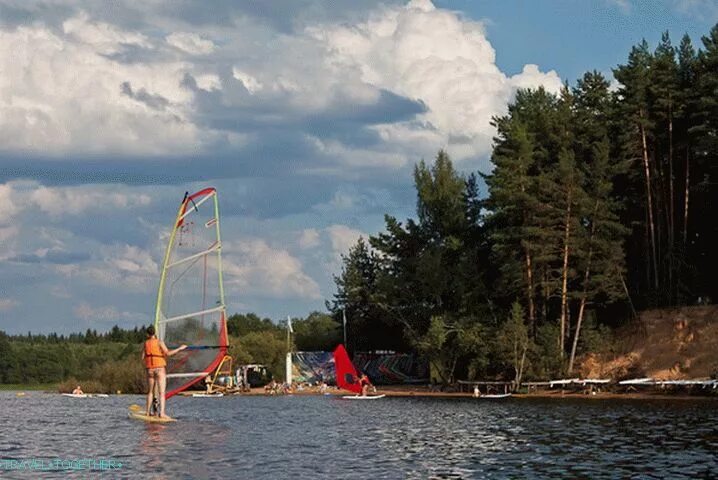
(598, 204)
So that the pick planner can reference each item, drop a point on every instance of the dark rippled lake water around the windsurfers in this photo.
(393, 438)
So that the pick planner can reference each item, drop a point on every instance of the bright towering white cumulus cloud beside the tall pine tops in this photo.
(440, 59)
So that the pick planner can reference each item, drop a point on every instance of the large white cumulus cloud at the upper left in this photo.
(62, 92)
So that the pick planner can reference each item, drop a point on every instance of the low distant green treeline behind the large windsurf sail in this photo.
(108, 362)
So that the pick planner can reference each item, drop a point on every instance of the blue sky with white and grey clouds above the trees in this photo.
(308, 117)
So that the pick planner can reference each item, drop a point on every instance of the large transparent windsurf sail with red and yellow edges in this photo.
(190, 301)
